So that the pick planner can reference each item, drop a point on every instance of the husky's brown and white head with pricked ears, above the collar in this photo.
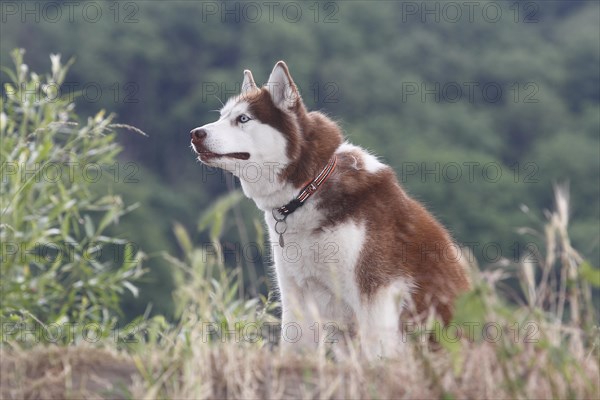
(269, 128)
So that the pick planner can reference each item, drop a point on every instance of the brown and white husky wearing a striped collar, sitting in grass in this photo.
(352, 249)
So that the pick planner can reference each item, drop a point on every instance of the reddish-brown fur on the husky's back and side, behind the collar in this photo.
(403, 239)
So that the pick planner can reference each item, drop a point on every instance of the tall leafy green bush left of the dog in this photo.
(59, 267)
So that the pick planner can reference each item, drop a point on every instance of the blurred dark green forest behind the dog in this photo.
(479, 108)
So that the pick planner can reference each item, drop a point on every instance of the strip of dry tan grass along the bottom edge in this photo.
(244, 372)
